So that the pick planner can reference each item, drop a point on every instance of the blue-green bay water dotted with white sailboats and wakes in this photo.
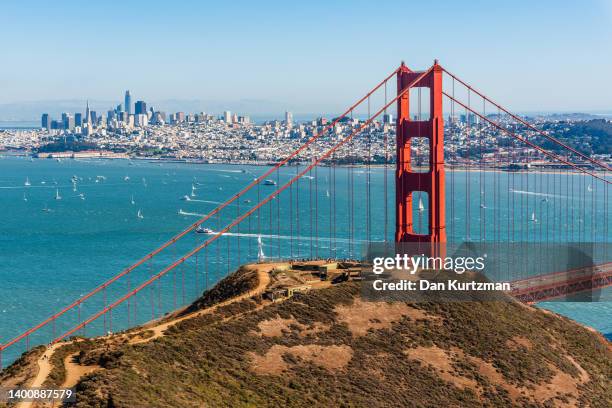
(53, 251)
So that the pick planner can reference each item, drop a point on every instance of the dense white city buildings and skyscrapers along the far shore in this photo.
(141, 131)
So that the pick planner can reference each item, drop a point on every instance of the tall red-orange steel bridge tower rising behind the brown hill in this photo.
(407, 180)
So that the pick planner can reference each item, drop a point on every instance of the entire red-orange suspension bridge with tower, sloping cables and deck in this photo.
(565, 201)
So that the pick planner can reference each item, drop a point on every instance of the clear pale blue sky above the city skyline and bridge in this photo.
(313, 56)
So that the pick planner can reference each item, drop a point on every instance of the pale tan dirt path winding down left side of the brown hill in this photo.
(75, 371)
